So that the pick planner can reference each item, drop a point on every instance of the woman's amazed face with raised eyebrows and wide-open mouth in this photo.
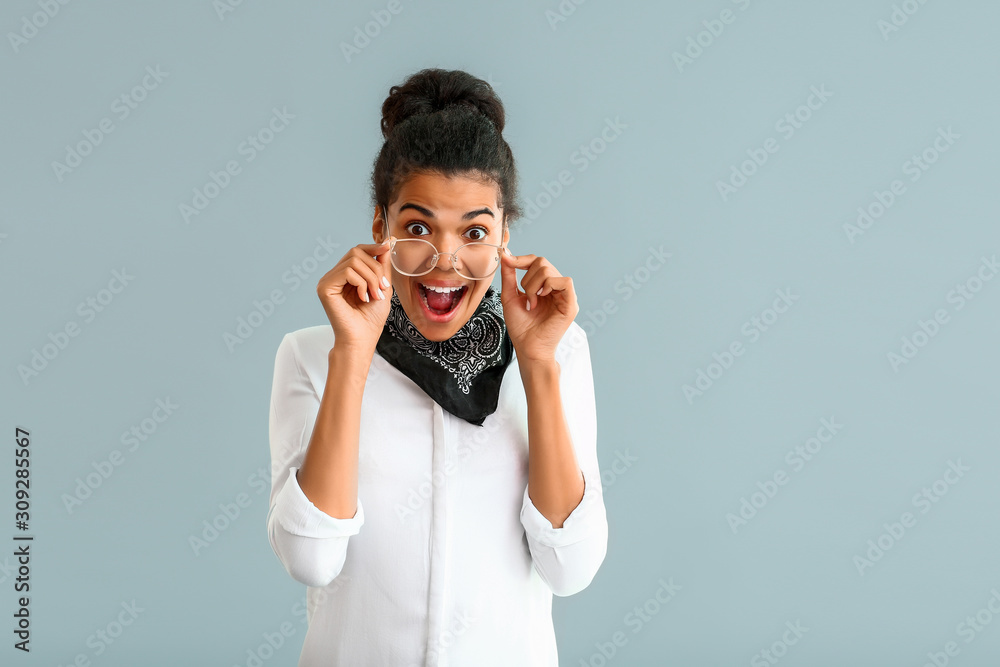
(434, 208)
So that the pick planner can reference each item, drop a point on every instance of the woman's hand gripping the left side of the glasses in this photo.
(358, 276)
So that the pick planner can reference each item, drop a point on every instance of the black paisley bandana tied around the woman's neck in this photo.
(463, 373)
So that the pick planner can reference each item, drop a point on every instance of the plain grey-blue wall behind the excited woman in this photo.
(655, 186)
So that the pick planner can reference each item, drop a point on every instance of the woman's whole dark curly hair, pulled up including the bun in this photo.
(446, 122)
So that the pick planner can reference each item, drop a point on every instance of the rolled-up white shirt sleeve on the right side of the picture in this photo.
(568, 558)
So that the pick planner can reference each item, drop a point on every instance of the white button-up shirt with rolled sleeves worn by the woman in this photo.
(447, 562)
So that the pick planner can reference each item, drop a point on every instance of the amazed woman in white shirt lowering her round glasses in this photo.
(435, 476)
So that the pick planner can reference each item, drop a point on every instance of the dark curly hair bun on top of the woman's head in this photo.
(432, 90)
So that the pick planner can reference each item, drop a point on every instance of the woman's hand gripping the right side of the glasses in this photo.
(536, 333)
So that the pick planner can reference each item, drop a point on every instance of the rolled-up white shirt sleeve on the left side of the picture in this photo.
(311, 544)
